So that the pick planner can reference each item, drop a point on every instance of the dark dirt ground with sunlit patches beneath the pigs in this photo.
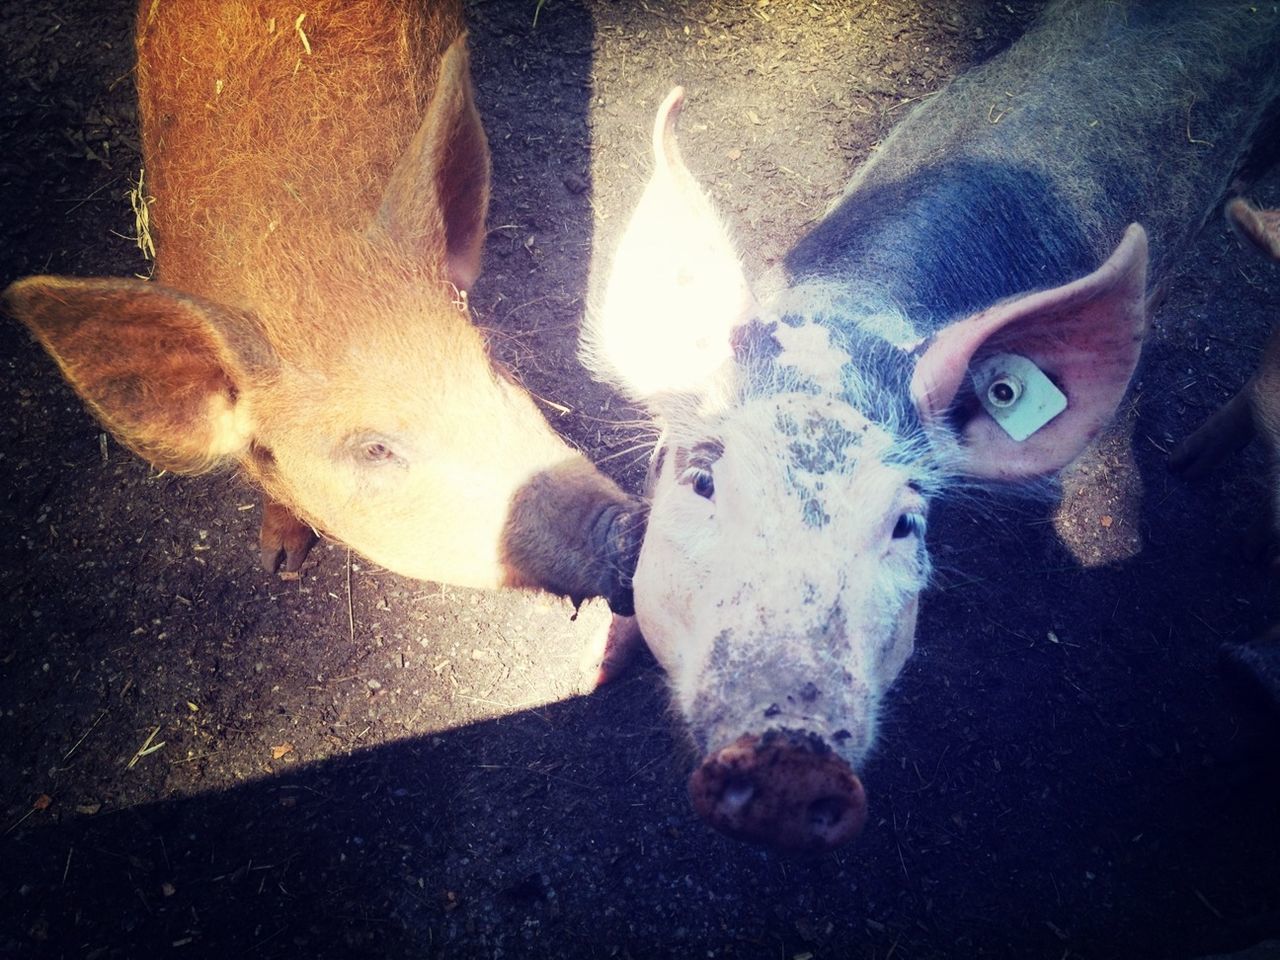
(198, 760)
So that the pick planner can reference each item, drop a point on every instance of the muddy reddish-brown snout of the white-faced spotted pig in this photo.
(787, 789)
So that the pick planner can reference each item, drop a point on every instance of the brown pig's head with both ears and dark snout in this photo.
(341, 371)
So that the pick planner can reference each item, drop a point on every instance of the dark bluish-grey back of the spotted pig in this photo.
(1025, 173)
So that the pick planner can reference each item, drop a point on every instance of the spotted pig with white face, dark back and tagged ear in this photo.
(1002, 244)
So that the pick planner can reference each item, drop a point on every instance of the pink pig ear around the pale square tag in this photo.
(1086, 336)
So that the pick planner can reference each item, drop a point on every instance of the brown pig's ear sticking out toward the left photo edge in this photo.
(164, 372)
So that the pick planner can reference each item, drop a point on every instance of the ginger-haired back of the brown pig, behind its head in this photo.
(262, 124)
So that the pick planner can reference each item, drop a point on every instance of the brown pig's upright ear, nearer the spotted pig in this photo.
(441, 186)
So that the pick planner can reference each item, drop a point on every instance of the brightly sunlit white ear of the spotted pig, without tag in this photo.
(676, 290)
